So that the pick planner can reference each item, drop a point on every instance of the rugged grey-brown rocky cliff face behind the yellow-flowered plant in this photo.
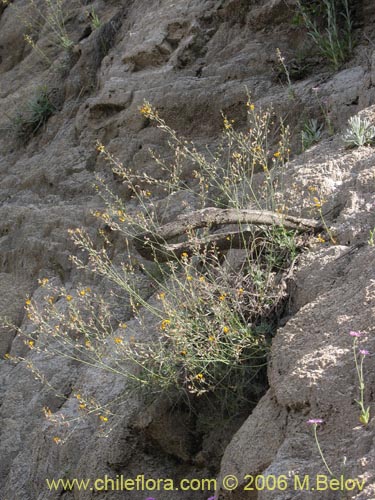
(193, 60)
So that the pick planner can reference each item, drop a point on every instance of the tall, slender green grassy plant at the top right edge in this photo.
(334, 40)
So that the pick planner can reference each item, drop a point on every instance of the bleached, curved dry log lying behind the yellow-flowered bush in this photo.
(154, 246)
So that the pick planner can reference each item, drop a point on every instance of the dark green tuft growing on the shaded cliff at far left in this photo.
(35, 115)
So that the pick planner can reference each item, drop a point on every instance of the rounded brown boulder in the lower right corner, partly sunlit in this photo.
(312, 375)
